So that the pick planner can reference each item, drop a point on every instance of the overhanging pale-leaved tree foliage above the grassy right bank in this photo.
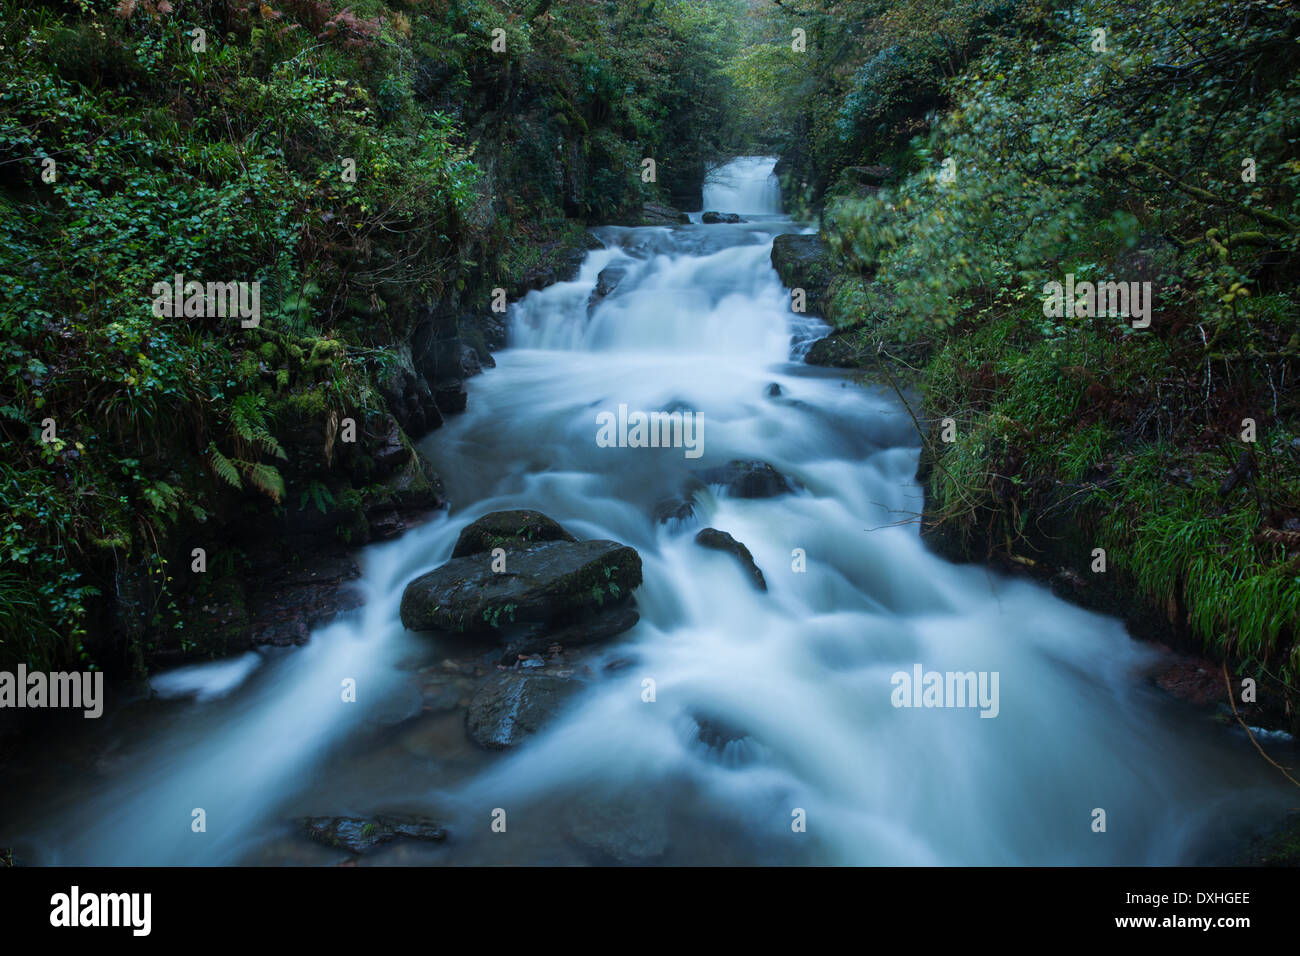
(1063, 149)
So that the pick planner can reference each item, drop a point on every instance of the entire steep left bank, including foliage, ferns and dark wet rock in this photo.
(387, 176)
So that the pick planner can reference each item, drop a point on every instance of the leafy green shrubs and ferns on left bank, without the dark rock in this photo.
(223, 167)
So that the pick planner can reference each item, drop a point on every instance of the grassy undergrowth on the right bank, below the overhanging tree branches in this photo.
(1081, 423)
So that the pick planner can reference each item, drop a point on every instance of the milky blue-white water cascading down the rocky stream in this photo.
(769, 708)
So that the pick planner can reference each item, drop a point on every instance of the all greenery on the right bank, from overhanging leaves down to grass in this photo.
(1120, 165)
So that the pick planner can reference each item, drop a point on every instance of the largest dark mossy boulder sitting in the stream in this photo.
(544, 583)
